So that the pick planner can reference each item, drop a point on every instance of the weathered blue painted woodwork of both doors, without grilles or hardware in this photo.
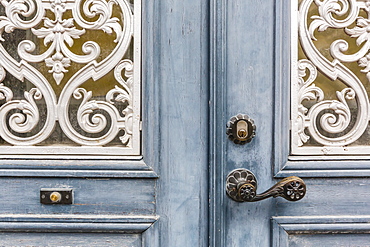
(203, 62)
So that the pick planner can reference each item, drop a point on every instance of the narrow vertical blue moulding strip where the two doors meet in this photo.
(217, 114)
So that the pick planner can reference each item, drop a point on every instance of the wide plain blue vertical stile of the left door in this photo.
(176, 81)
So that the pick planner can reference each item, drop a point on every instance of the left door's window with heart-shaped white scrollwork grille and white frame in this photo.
(59, 36)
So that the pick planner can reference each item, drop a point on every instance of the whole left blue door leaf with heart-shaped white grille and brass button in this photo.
(109, 100)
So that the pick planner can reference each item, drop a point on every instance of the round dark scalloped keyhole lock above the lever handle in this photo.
(241, 129)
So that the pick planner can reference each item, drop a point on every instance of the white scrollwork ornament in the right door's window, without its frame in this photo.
(342, 121)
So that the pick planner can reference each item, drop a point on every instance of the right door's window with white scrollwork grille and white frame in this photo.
(330, 79)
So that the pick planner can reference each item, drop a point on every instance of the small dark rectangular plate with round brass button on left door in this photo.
(56, 196)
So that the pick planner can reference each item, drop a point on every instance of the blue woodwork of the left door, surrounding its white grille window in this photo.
(154, 194)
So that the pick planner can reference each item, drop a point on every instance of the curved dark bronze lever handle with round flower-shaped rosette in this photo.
(241, 186)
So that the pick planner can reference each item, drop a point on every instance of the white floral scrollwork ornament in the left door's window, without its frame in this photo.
(58, 35)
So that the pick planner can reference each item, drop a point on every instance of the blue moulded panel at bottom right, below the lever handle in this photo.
(321, 231)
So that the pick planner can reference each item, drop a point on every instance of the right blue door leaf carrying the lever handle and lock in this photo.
(265, 54)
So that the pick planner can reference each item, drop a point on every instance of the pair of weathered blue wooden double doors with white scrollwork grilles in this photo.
(200, 63)
